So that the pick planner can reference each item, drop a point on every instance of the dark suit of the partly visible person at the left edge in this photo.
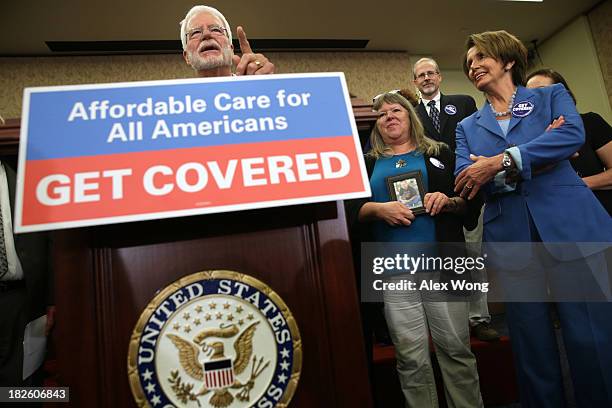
(22, 301)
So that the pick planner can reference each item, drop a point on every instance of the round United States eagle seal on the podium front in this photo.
(215, 339)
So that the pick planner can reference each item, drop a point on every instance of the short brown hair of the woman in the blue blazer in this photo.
(501, 46)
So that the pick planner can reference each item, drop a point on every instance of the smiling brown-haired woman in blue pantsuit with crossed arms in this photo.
(508, 152)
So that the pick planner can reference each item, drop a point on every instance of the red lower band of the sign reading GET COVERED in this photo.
(89, 188)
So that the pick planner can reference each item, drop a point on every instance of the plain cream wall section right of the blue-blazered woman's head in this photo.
(572, 52)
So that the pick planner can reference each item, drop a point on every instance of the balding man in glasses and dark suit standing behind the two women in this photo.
(440, 115)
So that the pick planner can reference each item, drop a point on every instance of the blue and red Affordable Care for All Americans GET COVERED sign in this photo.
(100, 154)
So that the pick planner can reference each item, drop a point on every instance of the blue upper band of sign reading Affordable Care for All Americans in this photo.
(51, 135)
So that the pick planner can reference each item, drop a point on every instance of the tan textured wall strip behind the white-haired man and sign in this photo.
(368, 74)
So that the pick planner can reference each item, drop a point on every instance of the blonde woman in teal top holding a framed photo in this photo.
(399, 146)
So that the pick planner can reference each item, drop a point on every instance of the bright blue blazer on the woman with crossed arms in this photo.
(562, 207)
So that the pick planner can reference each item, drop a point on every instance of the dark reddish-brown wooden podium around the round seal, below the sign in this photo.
(105, 276)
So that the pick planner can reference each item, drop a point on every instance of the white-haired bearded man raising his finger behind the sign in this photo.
(207, 46)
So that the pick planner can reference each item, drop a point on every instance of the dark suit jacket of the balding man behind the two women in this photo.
(464, 106)
